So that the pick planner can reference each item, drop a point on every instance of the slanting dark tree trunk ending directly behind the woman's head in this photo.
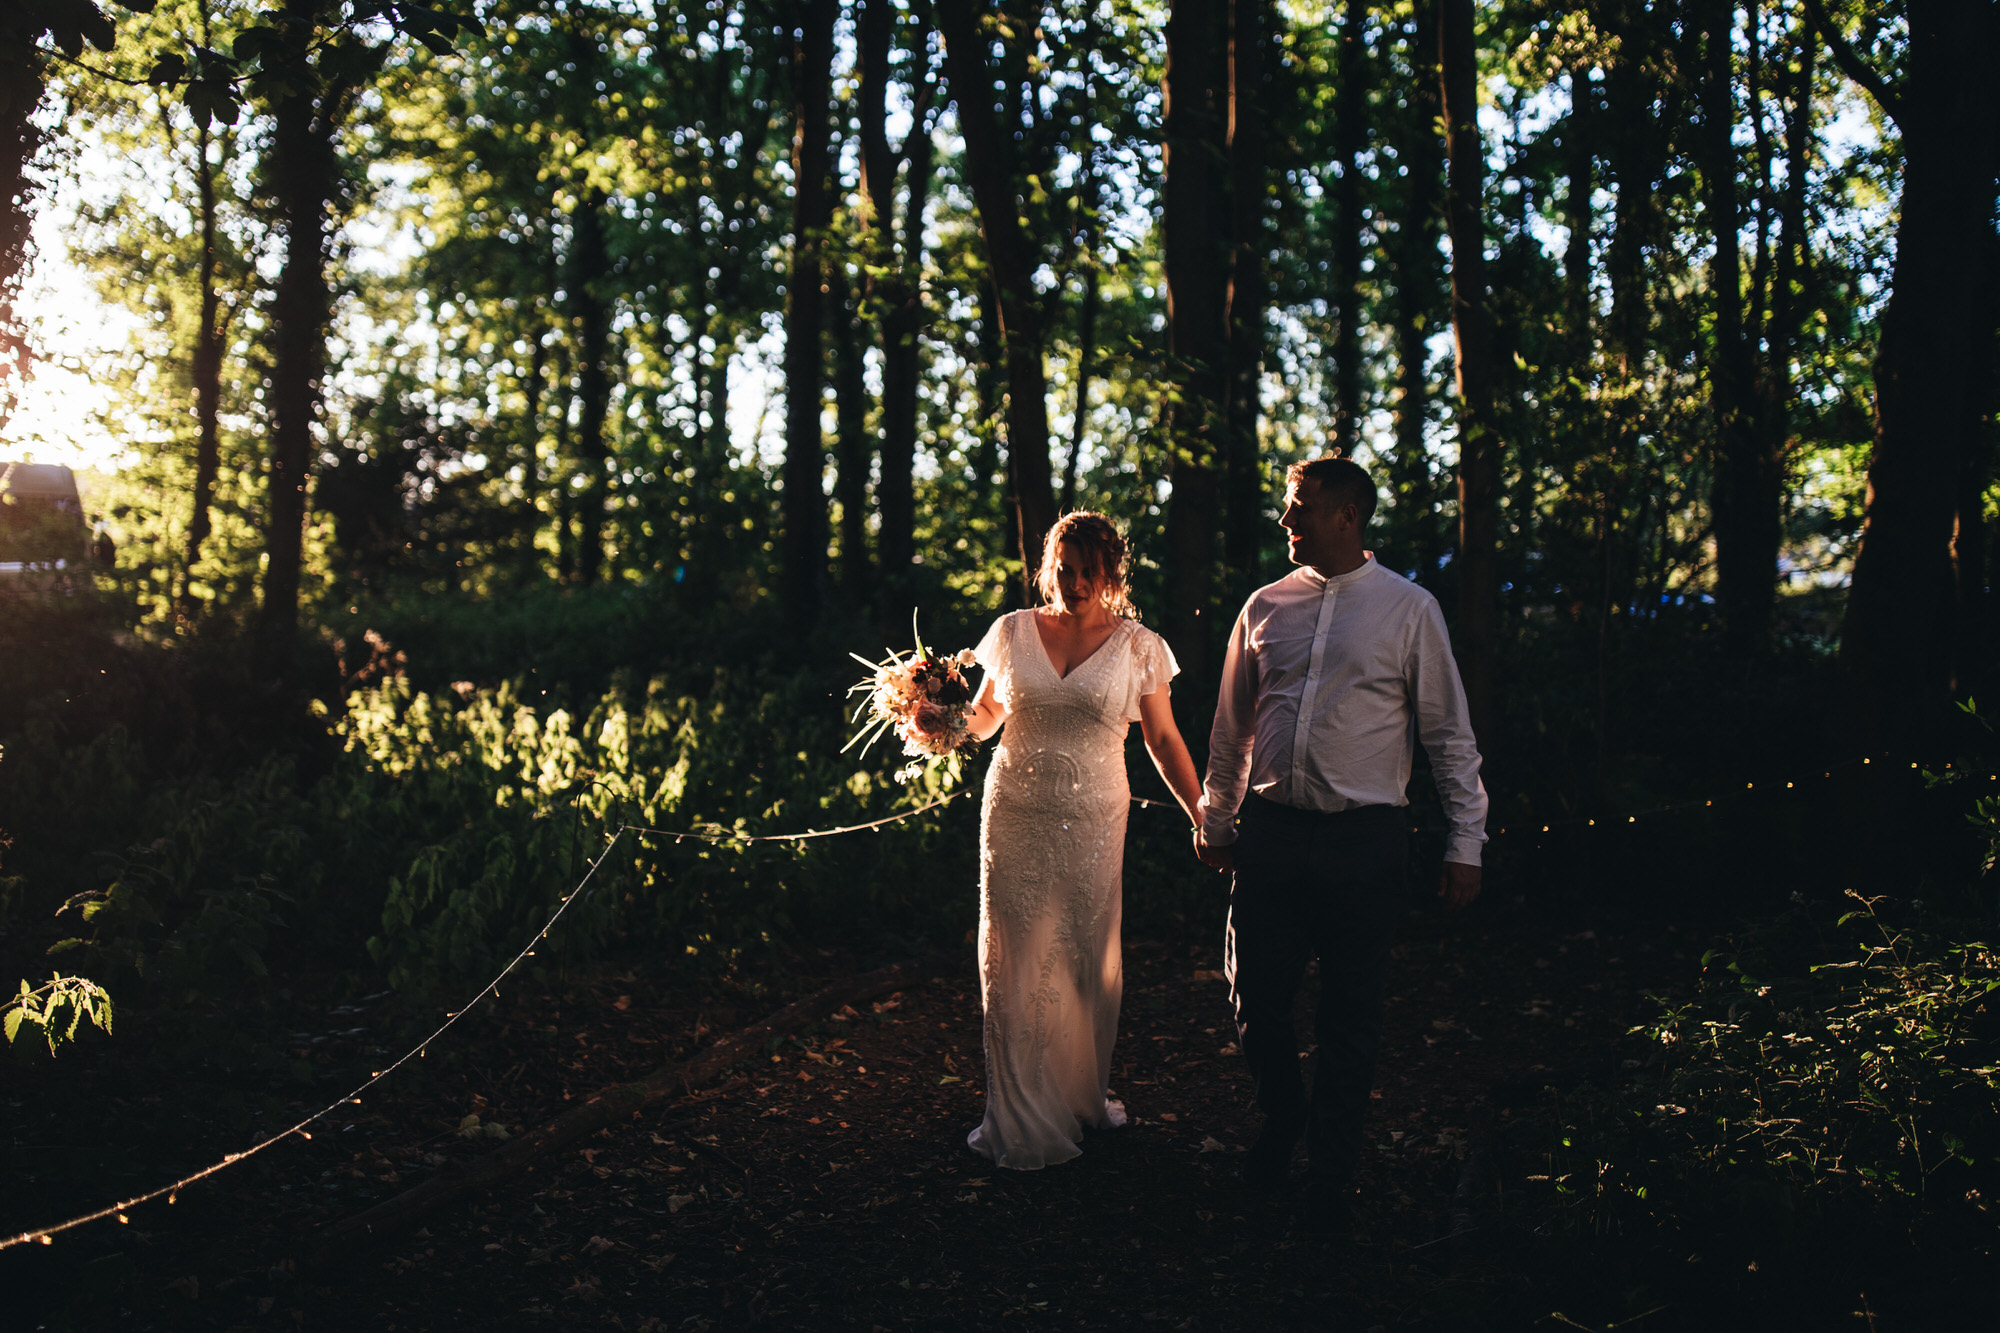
(1011, 261)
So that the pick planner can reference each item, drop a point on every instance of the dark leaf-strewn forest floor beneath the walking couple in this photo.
(829, 1184)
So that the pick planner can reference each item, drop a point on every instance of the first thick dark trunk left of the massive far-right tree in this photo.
(1747, 491)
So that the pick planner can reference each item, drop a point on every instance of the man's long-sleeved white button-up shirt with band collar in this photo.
(1327, 688)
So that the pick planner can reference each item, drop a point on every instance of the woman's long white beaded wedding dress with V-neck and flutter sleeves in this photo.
(1053, 886)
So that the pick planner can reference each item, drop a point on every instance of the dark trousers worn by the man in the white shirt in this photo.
(1315, 888)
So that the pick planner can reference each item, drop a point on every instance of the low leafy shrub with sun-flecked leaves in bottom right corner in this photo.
(1791, 1094)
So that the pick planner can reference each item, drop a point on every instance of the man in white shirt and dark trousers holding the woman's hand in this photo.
(1331, 674)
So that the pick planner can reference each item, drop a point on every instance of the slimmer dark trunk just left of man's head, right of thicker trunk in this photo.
(1247, 295)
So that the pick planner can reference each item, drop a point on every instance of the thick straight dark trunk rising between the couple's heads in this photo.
(1195, 225)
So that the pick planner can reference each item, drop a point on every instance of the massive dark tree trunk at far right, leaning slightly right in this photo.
(1899, 631)
